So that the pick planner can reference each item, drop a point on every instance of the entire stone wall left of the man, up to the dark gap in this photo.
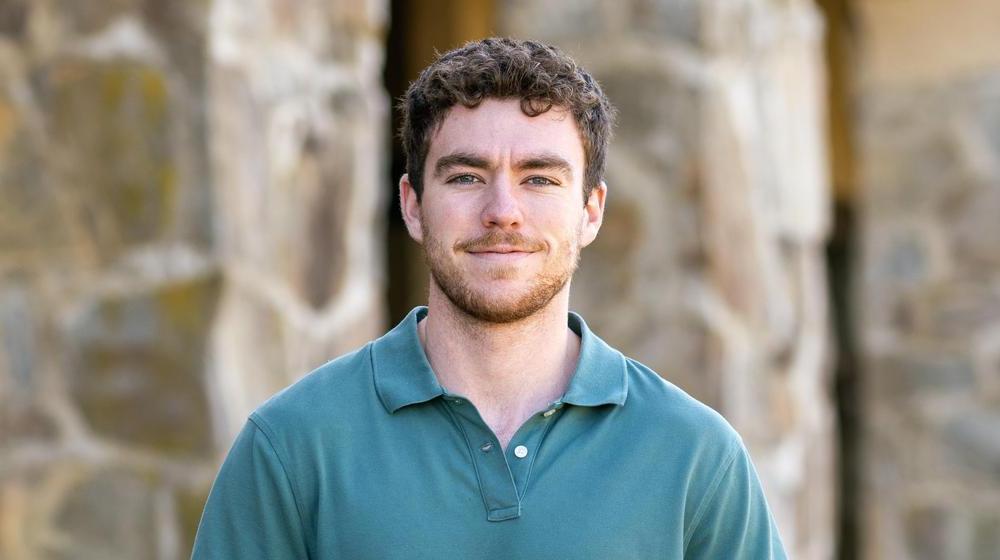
(190, 214)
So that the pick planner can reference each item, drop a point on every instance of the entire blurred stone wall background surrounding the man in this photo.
(803, 231)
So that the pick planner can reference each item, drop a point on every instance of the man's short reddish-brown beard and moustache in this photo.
(478, 302)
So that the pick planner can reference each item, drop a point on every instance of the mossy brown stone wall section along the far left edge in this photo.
(108, 284)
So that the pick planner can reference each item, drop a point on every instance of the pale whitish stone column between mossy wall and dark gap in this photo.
(299, 124)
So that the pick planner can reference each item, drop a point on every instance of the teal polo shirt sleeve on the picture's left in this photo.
(251, 510)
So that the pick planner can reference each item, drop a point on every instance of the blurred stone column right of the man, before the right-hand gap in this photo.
(710, 265)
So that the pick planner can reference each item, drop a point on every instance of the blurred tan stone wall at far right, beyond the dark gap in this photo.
(929, 285)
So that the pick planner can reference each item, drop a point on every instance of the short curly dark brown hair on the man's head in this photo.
(540, 75)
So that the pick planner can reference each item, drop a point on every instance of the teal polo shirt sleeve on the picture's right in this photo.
(734, 521)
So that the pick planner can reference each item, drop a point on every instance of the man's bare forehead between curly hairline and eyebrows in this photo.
(497, 129)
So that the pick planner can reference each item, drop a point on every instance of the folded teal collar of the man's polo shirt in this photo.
(403, 376)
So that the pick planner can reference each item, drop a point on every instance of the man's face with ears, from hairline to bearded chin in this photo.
(500, 217)
